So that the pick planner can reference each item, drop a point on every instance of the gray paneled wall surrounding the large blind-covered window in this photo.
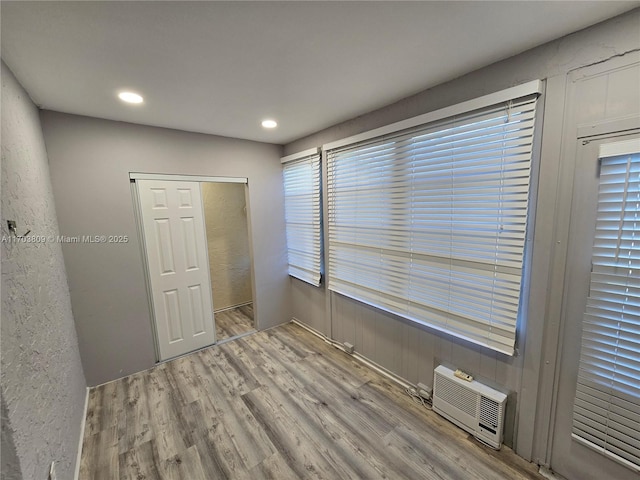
(411, 351)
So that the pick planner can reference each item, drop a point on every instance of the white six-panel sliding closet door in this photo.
(175, 241)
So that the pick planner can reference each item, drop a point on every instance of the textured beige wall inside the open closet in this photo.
(228, 243)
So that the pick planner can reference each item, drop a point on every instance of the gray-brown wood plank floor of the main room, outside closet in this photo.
(278, 404)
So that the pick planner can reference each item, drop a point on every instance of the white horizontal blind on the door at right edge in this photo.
(607, 403)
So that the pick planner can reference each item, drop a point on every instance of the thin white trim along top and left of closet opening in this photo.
(133, 177)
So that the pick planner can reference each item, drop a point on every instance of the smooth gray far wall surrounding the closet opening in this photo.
(90, 160)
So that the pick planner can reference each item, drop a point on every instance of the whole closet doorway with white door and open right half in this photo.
(197, 256)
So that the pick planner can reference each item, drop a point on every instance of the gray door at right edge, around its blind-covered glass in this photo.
(570, 458)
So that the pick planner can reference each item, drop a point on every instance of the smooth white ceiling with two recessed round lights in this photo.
(222, 67)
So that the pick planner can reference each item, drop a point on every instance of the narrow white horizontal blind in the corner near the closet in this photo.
(302, 214)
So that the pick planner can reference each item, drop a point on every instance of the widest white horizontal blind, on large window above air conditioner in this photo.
(430, 223)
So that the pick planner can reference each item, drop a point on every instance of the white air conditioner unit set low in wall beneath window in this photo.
(471, 405)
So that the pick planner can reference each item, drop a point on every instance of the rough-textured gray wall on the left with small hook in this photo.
(43, 384)
